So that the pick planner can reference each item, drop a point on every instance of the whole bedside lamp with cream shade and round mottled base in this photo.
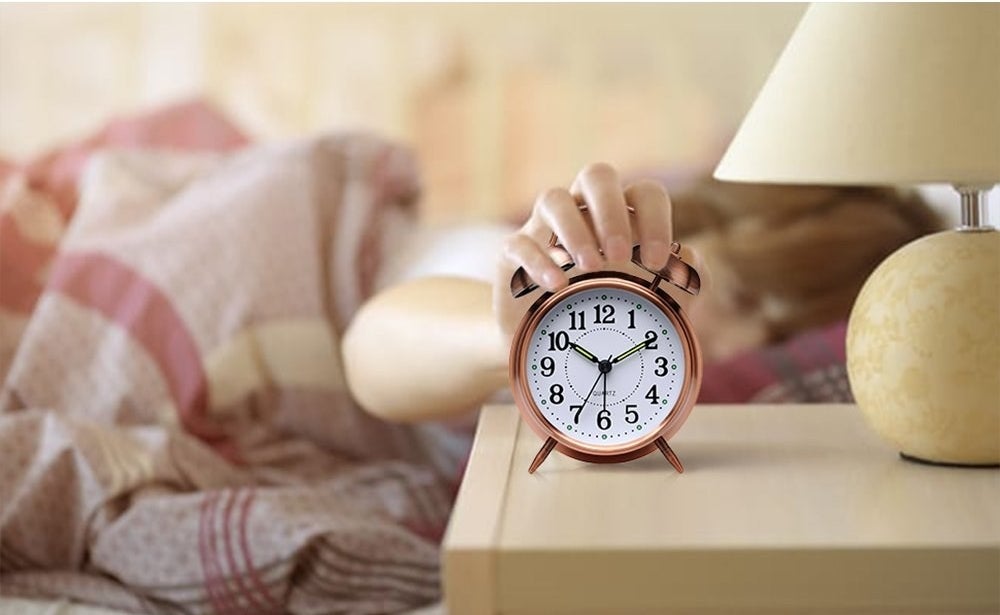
(896, 94)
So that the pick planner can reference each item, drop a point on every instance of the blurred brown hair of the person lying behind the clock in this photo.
(796, 256)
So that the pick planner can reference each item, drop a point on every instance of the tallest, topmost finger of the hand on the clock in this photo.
(600, 188)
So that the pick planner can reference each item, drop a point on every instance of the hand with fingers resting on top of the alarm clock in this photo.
(598, 239)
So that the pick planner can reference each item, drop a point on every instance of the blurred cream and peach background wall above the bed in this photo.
(498, 100)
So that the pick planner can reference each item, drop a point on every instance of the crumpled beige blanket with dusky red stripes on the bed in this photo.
(175, 432)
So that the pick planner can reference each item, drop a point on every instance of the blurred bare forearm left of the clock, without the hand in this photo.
(430, 348)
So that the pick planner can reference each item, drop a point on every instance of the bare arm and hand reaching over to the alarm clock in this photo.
(435, 347)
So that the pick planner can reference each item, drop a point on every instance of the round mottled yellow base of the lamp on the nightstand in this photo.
(923, 349)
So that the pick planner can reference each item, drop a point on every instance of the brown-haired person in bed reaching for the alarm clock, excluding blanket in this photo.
(777, 261)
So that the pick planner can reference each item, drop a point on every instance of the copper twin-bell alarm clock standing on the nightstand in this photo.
(608, 368)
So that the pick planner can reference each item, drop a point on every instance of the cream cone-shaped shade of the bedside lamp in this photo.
(878, 94)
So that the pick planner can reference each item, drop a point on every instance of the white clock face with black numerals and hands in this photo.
(605, 366)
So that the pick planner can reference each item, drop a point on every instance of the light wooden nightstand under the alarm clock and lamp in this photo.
(781, 508)
